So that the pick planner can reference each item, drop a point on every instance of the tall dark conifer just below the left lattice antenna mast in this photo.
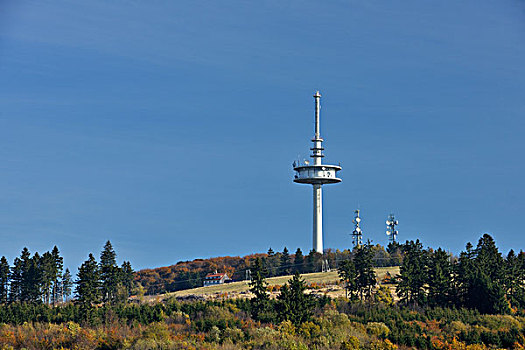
(366, 277)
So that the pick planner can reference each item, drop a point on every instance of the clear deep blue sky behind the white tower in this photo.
(170, 127)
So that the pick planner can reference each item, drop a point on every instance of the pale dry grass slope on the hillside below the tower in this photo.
(329, 278)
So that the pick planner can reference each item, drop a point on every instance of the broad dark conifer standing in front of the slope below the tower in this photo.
(293, 304)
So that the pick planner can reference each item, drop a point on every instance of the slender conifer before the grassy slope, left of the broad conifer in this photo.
(259, 304)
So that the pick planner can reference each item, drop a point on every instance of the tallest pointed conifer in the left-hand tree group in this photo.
(109, 273)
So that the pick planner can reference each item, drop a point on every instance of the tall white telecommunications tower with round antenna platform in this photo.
(317, 174)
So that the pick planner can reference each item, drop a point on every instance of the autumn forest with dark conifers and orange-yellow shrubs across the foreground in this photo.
(438, 301)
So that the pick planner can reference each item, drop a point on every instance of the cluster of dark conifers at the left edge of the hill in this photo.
(42, 279)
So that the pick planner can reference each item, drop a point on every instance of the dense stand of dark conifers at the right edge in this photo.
(479, 278)
